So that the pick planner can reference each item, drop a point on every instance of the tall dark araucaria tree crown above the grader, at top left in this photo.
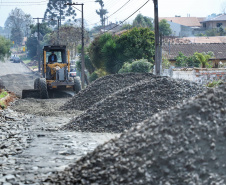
(56, 9)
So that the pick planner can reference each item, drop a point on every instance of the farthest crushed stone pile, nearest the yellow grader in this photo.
(103, 87)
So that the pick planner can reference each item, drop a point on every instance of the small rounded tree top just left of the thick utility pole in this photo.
(143, 21)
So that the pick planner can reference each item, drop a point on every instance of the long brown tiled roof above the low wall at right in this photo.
(189, 49)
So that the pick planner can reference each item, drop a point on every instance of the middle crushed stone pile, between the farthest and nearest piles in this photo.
(133, 104)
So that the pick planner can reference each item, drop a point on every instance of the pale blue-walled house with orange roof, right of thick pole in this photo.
(184, 26)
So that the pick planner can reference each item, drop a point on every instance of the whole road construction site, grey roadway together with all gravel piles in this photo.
(121, 129)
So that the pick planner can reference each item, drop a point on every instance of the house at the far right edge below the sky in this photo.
(215, 22)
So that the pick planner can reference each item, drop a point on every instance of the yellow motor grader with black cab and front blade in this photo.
(55, 73)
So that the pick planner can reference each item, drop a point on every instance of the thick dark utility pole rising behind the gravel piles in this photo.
(157, 40)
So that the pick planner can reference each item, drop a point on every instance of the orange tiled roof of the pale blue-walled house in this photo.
(186, 21)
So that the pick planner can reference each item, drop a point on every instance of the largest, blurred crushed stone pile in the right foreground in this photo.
(184, 146)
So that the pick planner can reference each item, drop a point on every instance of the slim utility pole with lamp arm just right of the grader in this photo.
(83, 58)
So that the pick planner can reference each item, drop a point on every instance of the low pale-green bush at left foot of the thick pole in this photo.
(139, 66)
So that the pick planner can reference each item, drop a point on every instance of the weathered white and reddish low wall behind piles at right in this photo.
(198, 75)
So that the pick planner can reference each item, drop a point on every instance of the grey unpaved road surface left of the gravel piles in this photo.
(32, 141)
